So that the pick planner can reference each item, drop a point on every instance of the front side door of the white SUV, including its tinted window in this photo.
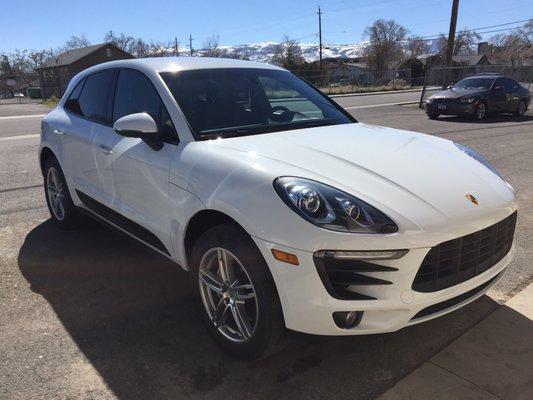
(137, 171)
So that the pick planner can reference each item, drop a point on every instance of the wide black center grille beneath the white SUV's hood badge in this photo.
(458, 260)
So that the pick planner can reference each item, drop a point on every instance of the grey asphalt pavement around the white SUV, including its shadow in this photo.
(90, 314)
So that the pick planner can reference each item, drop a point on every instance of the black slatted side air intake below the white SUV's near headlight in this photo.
(343, 278)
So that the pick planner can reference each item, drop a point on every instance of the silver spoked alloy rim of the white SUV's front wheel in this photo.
(228, 295)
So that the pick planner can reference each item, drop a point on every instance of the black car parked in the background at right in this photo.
(479, 95)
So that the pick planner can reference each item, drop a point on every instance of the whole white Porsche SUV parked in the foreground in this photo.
(286, 211)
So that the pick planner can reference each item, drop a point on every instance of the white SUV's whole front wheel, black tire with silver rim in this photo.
(263, 324)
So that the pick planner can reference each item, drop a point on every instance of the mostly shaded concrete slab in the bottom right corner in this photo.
(491, 360)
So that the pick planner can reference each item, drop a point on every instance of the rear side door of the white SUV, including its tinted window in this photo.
(88, 110)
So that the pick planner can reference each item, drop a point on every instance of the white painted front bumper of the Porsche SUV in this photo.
(308, 307)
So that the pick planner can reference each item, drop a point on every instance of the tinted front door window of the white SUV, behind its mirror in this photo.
(134, 94)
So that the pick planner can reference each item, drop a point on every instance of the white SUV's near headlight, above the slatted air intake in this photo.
(331, 208)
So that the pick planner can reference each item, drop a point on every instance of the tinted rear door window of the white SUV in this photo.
(94, 98)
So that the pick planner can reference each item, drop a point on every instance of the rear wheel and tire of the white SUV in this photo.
(63, 212)
